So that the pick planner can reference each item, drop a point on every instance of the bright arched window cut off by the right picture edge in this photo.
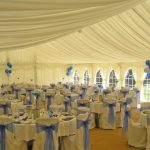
(146, 89)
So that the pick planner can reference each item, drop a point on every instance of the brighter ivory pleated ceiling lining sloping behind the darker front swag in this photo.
(121, 38)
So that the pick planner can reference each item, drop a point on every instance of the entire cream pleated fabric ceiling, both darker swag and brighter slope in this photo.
(75, 31)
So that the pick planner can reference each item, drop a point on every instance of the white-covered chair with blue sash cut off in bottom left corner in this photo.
(7, 140)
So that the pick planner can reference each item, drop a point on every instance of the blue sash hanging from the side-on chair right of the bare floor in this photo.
(127, 115)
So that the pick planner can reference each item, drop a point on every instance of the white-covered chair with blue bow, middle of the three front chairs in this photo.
(47, 135)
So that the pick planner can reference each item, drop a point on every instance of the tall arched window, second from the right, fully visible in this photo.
(129, 80)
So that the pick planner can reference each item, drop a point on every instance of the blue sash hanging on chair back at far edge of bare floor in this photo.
(111, 114)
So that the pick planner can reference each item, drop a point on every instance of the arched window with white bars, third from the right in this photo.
(112, 79)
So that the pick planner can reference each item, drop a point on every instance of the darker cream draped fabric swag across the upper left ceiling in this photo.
(27, 23)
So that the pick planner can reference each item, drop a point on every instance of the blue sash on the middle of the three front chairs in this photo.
(49, 141)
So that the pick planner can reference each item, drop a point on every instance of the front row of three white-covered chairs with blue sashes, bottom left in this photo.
(47, 136)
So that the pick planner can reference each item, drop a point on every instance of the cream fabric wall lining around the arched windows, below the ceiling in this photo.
(53, 73)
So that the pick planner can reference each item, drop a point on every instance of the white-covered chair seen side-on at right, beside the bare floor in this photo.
(137, 134)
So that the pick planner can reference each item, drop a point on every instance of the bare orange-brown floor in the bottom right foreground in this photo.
(111, 139)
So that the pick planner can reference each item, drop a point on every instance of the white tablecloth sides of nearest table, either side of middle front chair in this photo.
(27, 131)
